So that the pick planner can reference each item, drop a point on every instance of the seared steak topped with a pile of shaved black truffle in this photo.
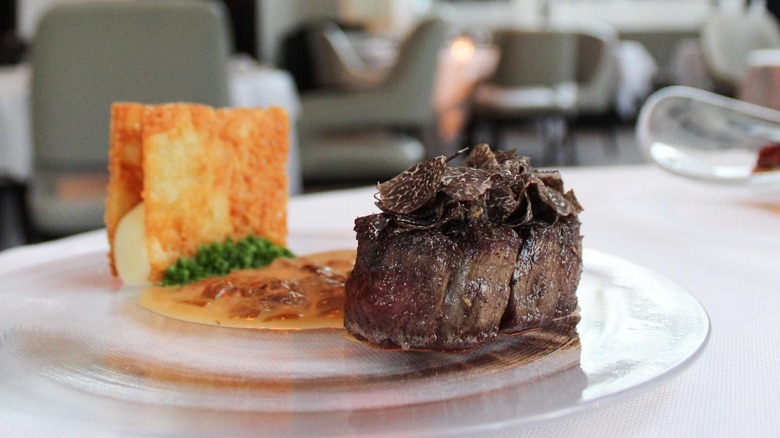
(460, 254)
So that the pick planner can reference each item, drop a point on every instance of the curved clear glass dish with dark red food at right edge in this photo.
(706, 136)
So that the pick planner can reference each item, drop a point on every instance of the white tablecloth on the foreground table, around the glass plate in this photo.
(721, 244)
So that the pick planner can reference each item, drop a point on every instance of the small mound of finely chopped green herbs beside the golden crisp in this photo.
(218, 259)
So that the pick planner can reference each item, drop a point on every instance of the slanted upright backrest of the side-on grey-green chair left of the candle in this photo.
(410, 83)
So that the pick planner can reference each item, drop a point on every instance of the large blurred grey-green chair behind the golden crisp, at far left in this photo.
(88, 55)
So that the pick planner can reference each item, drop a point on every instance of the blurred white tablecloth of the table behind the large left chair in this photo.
(251, 85)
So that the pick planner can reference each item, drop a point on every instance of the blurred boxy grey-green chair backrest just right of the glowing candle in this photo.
(534, 57)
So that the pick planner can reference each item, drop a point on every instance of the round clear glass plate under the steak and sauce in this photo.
(86, 357)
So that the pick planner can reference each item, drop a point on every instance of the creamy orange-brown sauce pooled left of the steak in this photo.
(289, 294)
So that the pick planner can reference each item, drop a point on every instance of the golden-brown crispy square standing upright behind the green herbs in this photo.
(204, 175)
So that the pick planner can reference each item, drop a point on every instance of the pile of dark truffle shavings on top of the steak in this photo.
(500, 188)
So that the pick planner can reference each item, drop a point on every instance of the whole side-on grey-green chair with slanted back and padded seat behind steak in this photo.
(352, 135)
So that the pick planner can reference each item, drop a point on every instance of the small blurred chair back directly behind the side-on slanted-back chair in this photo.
(336, 63)
